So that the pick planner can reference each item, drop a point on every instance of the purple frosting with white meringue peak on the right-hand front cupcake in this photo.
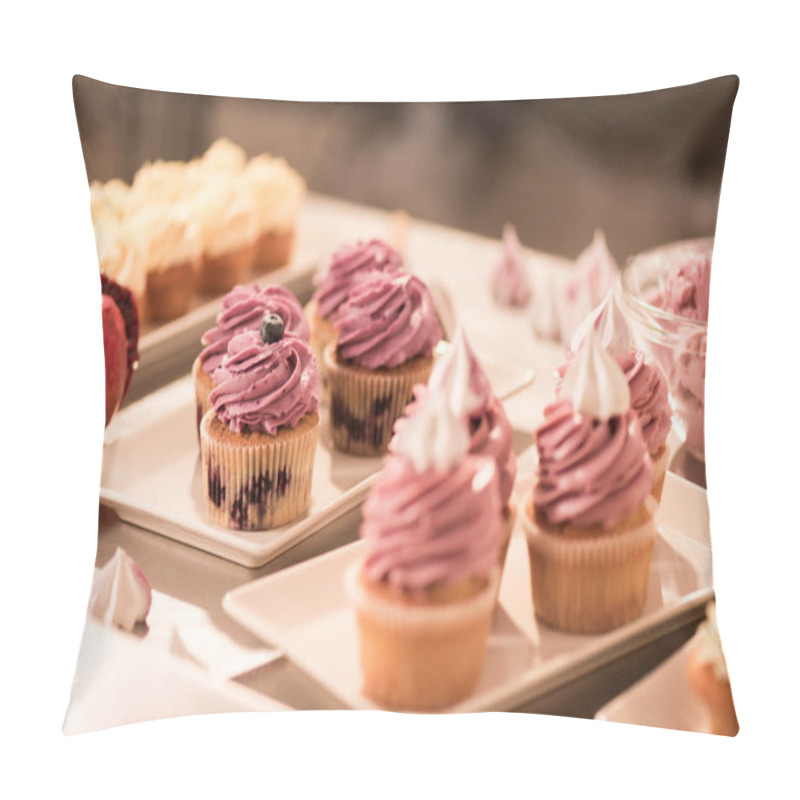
(594, 468)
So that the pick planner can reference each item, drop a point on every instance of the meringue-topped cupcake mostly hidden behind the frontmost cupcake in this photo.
(459, 377)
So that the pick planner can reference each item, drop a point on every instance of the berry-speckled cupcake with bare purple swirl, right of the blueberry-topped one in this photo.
(387, 330)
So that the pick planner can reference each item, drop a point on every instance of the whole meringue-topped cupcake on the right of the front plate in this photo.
(589, 519)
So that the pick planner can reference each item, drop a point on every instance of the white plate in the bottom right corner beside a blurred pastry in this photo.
(662, 699)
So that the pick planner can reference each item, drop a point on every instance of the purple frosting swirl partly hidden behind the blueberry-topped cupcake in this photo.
(243, 309)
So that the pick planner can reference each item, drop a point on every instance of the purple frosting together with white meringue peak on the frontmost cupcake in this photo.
(433, 514)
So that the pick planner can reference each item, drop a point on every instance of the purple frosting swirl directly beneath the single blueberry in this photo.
(264, 387)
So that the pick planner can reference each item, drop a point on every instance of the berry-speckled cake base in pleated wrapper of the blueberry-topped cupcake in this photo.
(254, 481)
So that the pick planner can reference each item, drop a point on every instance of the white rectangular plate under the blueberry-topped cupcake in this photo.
(151, 475)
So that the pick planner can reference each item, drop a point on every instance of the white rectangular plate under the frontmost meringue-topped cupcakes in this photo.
(303, 611)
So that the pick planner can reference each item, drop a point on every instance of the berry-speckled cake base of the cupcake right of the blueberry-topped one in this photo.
(365, 403)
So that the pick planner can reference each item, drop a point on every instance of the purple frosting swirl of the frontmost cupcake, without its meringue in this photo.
(423, 528)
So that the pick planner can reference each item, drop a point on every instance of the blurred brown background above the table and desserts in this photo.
(645, 168)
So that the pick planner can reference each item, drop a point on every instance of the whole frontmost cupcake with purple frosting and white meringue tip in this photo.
(425, 590)
